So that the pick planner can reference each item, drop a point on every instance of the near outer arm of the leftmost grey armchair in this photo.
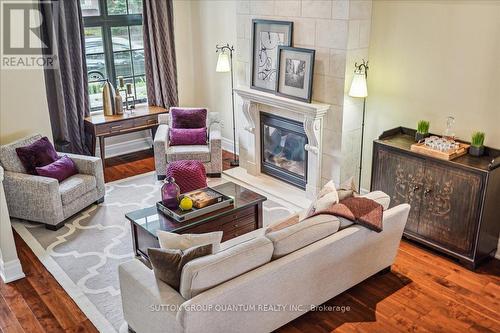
(33, 198)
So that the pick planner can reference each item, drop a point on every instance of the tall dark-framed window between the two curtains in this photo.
(114, 46)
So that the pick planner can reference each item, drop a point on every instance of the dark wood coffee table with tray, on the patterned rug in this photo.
(242, 217)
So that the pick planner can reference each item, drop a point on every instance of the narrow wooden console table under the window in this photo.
(101, 126)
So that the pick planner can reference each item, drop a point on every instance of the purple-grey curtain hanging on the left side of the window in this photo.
(66, 84)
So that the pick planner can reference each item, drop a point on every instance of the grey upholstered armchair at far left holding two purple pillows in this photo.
(45, 200)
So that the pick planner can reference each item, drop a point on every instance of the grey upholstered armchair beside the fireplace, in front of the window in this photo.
(210, 154)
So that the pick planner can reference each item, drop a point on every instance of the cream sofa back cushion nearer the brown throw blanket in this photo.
(299, 235)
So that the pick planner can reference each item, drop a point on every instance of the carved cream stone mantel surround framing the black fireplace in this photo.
(310, 114)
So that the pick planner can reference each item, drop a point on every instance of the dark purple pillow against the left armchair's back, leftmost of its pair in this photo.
(38, 154)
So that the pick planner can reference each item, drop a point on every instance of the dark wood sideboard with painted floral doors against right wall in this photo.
(455, 205)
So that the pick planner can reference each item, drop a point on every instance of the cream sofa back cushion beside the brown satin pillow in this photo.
(207, 272)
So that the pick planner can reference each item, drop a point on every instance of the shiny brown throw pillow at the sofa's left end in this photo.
(167, 264)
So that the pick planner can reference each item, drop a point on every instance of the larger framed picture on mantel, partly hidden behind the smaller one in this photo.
(267, 36)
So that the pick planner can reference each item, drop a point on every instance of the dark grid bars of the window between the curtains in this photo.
(106, 22)
